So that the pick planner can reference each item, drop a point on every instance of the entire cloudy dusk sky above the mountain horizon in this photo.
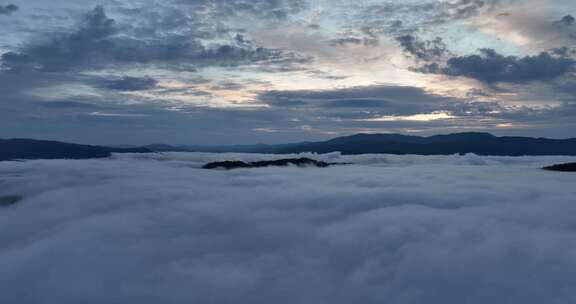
(248, 71)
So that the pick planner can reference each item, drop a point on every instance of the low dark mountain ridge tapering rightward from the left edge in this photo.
(15, 149)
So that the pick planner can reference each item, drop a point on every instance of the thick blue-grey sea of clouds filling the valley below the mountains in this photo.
(386, 229)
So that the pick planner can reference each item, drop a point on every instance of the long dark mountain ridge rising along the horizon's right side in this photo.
(459, 143)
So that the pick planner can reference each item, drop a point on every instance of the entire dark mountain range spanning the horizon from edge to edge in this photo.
(459, 143)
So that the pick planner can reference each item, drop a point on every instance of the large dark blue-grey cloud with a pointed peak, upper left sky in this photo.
(98, 42)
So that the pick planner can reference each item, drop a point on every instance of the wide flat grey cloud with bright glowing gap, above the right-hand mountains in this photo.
(398, 107)
